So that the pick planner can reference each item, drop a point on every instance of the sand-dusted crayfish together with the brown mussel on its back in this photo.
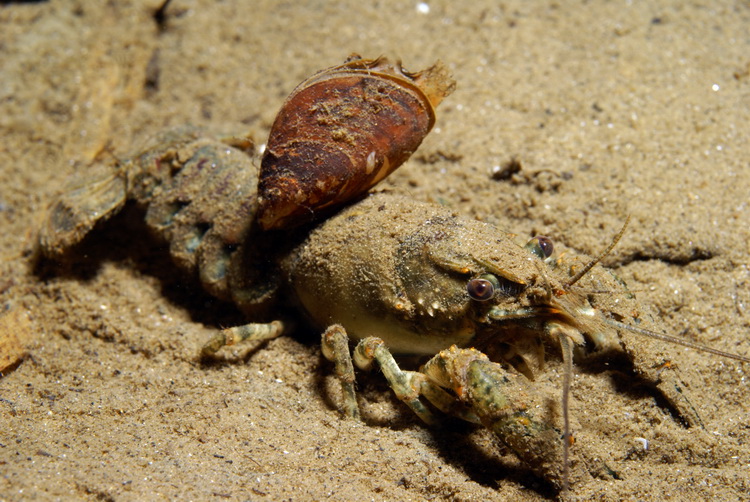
(395, 275)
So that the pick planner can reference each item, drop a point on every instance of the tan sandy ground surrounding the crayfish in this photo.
(611, 108)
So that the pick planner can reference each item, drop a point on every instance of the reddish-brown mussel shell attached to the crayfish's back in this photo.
(342, 131)
